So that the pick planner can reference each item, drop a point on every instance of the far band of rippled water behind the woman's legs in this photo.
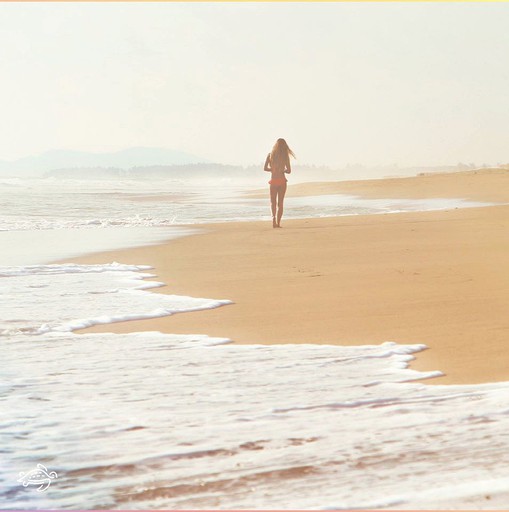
(56, 204)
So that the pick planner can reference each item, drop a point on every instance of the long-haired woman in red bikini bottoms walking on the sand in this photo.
(278, 163)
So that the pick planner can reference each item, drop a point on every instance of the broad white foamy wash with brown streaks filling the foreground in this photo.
(165, 421)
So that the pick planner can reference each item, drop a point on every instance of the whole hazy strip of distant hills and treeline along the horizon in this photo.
(162, 163)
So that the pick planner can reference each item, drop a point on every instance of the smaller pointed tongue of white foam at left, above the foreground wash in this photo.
(42, 298)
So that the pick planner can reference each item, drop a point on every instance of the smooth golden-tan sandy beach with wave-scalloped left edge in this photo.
(438, 278)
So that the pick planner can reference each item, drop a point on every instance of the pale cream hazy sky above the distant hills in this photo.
(420, 83)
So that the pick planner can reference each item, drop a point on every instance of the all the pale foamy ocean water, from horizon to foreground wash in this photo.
(151, 420)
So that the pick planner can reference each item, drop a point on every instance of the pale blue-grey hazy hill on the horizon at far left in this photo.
(37, 165)
